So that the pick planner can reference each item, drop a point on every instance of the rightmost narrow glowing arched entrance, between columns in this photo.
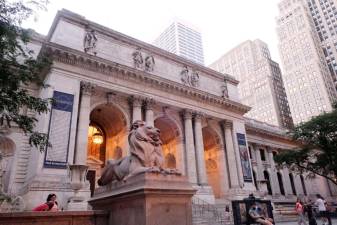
(212, 159)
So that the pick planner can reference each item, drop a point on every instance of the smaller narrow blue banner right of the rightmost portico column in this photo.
(244, 157)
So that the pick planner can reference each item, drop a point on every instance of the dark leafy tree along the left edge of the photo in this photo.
(19, 69)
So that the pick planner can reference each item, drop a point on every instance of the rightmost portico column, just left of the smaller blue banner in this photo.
(230, 150)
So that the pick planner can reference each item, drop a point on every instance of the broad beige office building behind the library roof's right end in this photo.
(261, 85)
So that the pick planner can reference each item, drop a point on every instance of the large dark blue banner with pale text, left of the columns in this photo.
(59, 130)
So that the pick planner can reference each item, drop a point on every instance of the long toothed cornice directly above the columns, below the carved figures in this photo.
(93, 63)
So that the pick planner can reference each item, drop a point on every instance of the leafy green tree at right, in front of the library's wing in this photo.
(317, 153)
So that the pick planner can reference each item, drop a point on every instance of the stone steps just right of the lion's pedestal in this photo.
(204, 213)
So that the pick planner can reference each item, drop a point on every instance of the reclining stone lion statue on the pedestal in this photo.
(145, 156)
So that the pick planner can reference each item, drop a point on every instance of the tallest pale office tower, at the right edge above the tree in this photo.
(308, 81)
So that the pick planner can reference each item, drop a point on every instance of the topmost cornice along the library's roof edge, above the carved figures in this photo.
(81, 20)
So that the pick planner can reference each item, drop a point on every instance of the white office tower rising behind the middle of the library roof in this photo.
(183, 40)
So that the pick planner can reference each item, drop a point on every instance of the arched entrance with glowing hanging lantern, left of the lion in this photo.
(107, 139)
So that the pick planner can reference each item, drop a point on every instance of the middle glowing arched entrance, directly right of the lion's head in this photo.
(169, 135)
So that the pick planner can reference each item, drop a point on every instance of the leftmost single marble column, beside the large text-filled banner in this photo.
(87, 89)
